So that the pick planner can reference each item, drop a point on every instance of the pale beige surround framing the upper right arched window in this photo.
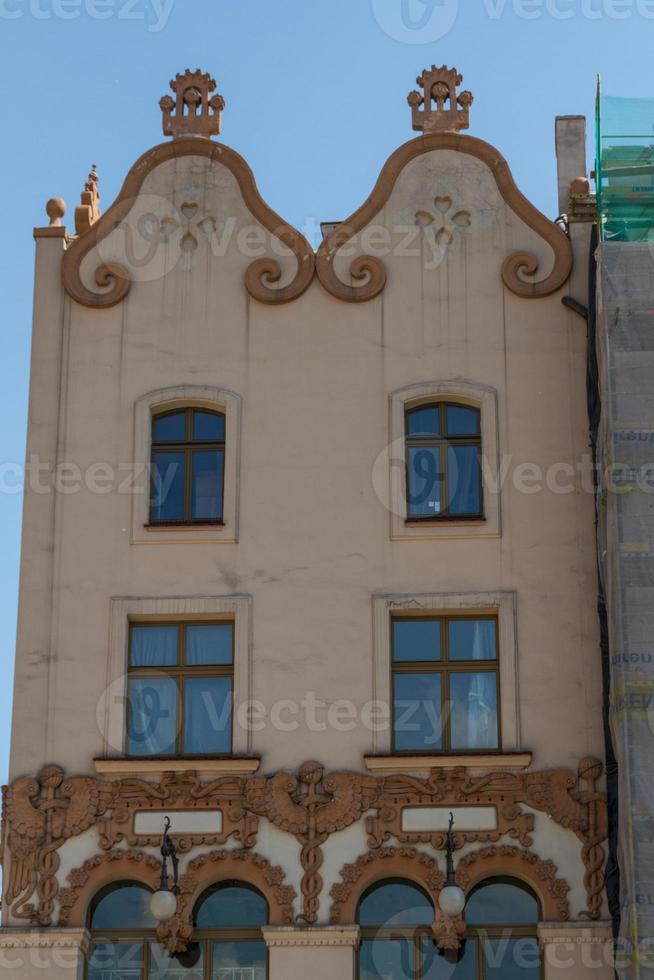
(467, 394)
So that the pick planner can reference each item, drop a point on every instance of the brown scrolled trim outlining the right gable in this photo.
(371, 273)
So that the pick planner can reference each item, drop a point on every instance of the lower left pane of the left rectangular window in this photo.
(152, 716)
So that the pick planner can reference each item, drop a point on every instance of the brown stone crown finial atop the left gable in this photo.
(192, 112)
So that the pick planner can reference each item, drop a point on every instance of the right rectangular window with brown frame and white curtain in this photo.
(445, 684)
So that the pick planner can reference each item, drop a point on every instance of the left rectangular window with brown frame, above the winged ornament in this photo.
(180, 690)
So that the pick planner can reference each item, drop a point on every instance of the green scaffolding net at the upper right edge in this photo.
(625, 168)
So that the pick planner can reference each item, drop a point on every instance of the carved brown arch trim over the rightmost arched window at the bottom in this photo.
(541, 876)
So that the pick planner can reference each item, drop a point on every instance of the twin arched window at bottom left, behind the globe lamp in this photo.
(227, 942)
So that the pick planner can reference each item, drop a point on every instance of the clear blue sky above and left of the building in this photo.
(316, 100)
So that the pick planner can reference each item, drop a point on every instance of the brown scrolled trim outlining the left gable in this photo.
(259, 277)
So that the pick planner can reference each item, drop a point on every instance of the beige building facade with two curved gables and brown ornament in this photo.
(289, 505)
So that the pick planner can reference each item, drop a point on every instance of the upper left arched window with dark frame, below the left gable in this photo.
(187, 467)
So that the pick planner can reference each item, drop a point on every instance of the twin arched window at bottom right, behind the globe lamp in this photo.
(501, 936)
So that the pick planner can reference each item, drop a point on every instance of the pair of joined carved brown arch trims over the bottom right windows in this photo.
(416, 866)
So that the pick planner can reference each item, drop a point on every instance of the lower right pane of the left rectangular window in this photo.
(207, 715)
